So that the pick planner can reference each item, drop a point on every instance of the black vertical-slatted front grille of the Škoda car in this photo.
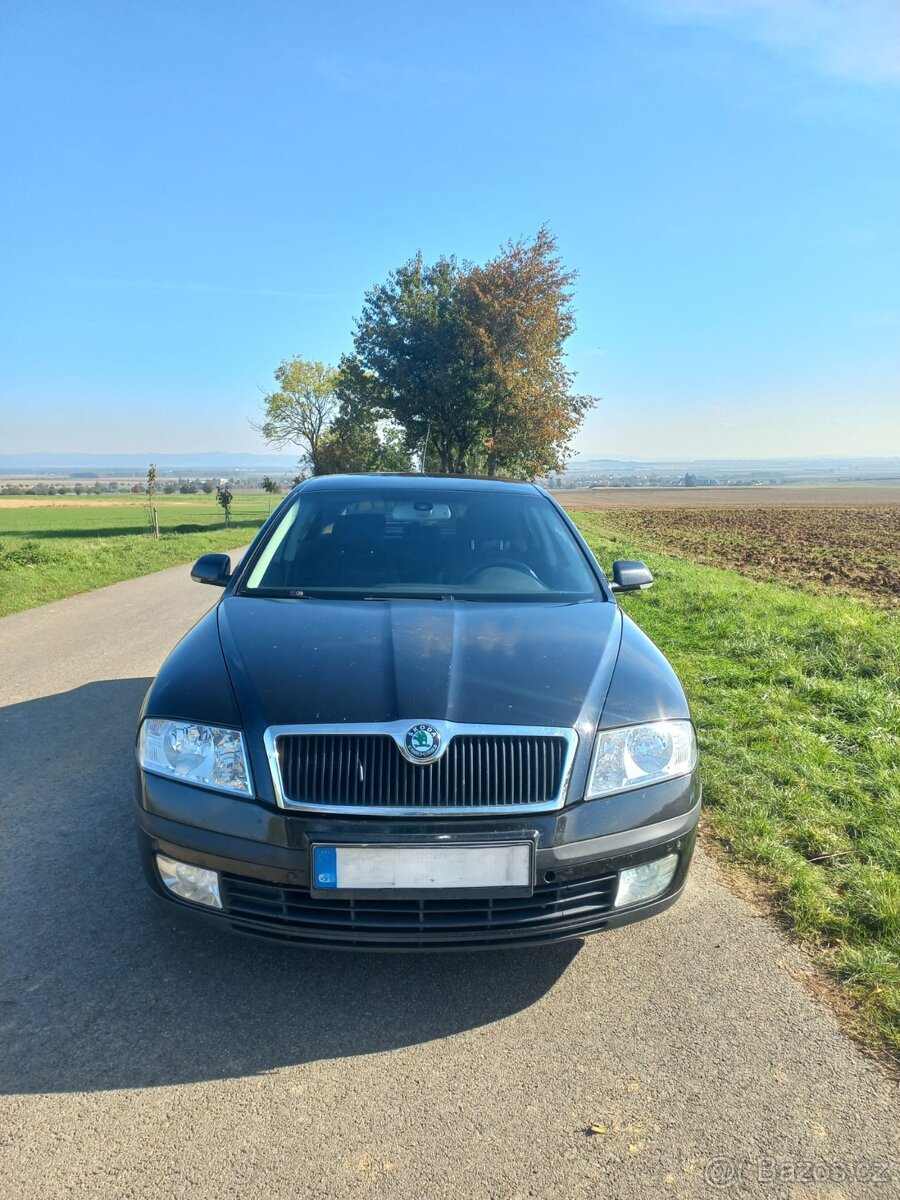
(338, 771)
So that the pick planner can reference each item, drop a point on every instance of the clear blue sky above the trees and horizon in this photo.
(195, 190)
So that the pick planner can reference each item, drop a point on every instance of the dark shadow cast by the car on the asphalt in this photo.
(103, 988)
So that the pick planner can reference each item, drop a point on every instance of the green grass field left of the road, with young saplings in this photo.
(57, 548)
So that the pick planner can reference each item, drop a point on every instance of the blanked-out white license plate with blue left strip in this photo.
(505, 867)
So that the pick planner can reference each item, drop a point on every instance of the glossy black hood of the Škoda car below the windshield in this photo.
(334, 662)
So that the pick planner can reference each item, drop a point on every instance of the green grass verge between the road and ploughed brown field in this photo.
(797, 701)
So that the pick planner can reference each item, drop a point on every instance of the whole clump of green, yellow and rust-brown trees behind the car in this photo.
(457, 368)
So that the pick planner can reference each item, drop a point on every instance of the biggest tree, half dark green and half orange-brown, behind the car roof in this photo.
(470, 361)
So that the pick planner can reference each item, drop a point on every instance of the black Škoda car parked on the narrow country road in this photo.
(417, 719)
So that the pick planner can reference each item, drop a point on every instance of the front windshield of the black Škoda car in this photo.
(421, 543)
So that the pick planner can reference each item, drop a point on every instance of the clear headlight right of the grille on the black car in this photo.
(638, 755)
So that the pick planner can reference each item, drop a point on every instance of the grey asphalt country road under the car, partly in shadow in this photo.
(146, 1060)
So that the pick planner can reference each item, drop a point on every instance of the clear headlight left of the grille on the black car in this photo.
(195, 754)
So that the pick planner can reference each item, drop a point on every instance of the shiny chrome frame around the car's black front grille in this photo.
(398, 730)
